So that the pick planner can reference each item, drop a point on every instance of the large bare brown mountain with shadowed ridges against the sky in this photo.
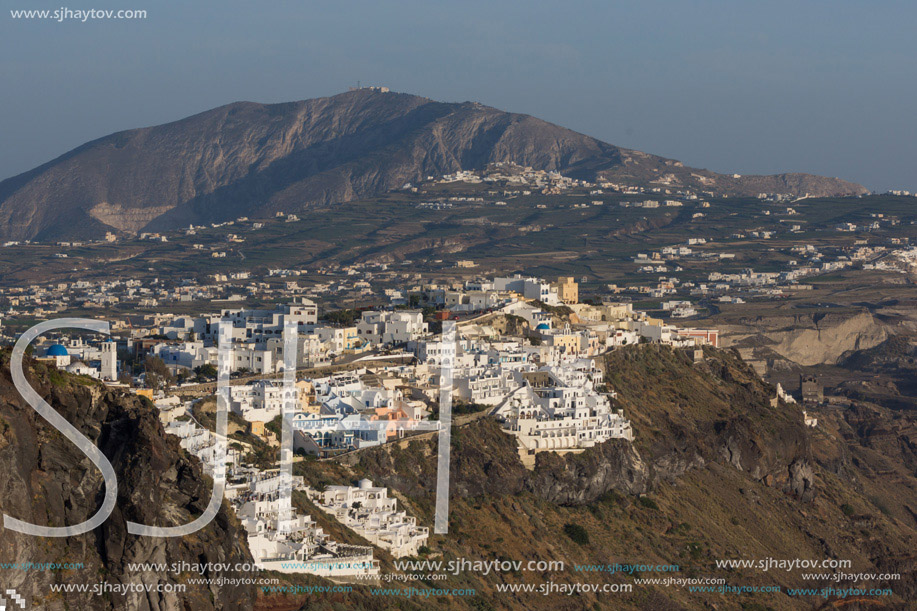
(255, 159)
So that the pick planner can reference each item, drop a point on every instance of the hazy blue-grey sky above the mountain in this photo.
(827, 87)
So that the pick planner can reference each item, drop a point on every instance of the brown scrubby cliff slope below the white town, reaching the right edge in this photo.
(715, 471)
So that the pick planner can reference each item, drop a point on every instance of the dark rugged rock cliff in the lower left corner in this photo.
(46, 480)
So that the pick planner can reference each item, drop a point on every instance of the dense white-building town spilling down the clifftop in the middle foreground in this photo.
(524, 355)
